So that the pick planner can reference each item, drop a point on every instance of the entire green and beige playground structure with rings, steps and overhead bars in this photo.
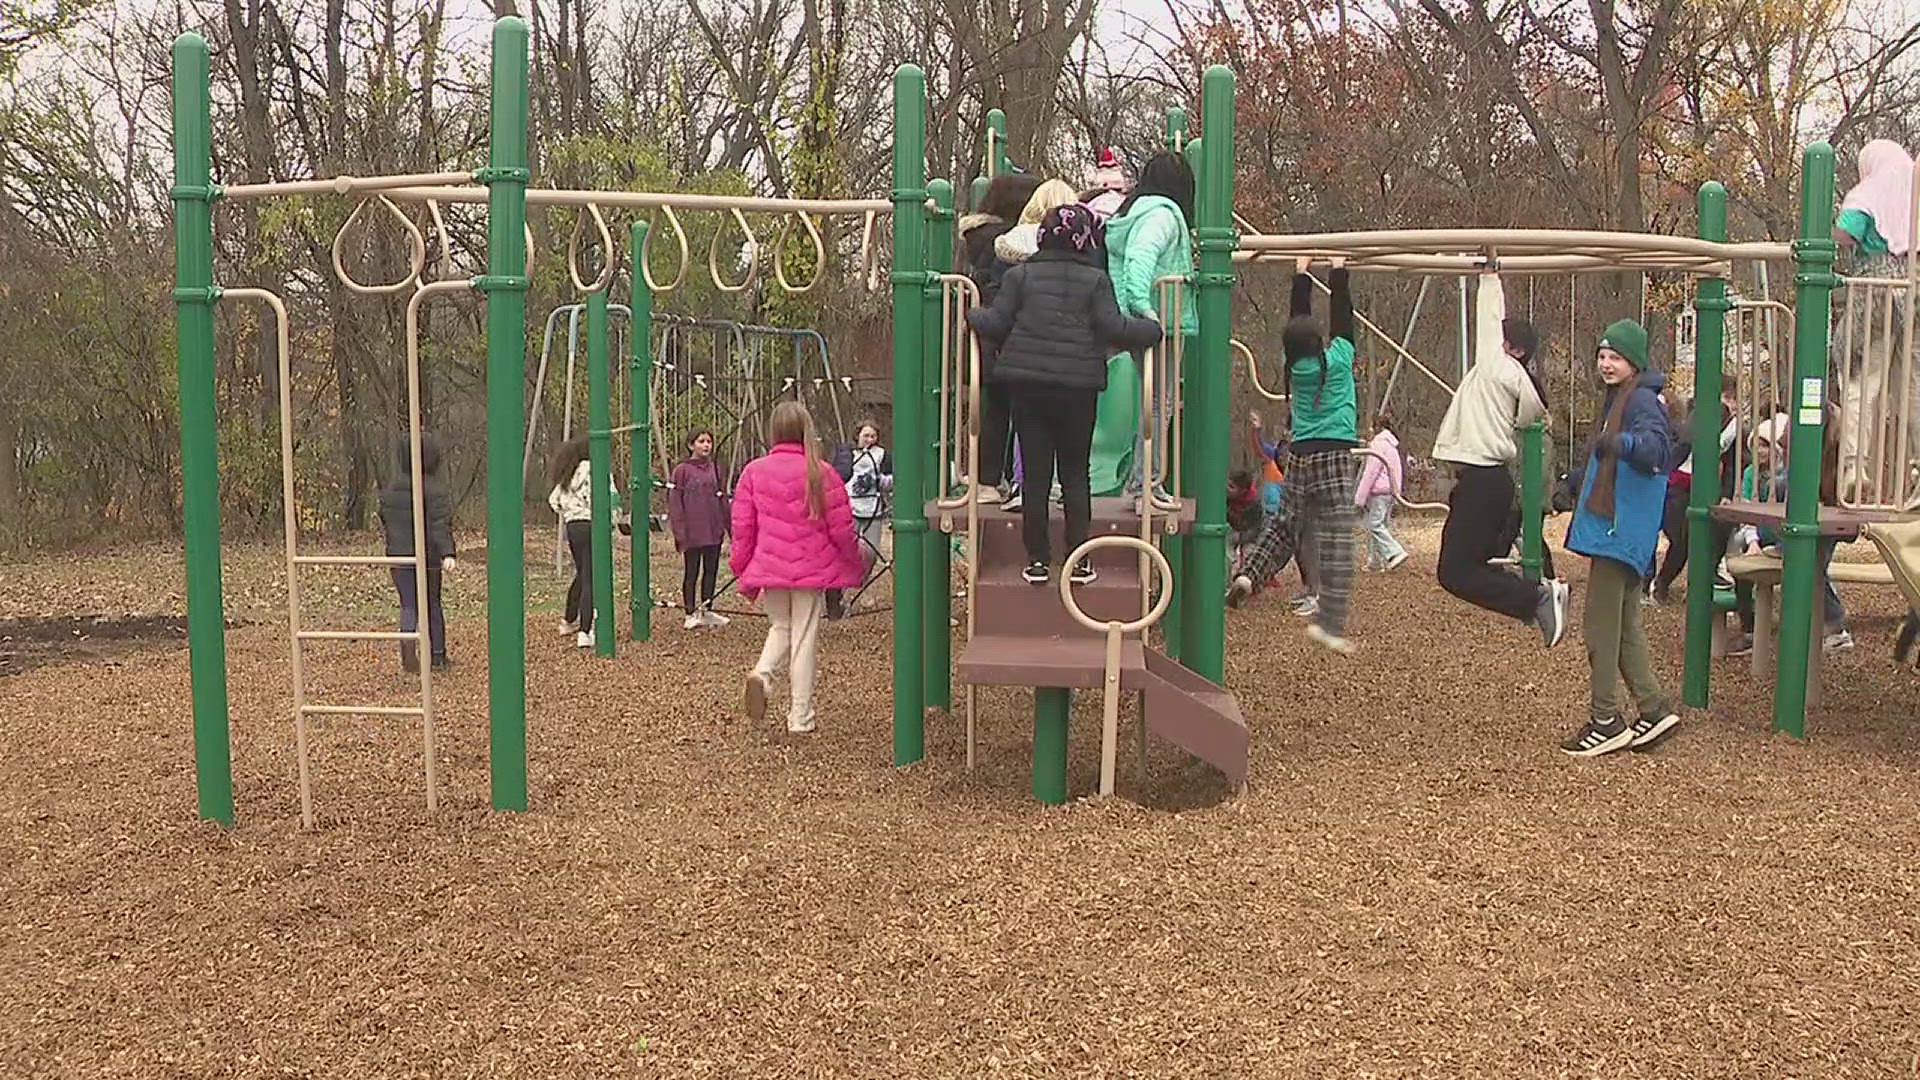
(1015, 635)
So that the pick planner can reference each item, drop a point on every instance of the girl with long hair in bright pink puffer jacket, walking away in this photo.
(792, 541)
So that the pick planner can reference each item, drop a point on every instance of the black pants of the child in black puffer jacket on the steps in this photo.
(1055, 435)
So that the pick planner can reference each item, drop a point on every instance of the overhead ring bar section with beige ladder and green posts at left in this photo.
(504, 189)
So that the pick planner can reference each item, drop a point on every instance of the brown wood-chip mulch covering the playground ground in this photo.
(1416, 885)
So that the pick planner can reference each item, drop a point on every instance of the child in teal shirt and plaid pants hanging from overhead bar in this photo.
(1320, 466)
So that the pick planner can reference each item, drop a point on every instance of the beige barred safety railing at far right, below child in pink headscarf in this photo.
(1879, 395)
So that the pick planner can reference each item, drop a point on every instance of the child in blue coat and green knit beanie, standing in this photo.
(1616, 524)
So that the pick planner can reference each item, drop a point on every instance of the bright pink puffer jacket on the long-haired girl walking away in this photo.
(777, 545)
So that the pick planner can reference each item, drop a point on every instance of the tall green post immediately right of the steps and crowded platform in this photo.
(1207, 631)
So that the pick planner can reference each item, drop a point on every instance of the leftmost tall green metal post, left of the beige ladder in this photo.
(201, 466)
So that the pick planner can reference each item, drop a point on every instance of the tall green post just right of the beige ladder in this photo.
(506, 424)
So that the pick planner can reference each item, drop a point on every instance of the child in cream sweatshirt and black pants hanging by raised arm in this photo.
(1497, 399)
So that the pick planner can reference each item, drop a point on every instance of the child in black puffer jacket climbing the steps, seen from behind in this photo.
(1055, 326)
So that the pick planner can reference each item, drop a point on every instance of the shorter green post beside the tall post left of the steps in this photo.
(940, 257)
